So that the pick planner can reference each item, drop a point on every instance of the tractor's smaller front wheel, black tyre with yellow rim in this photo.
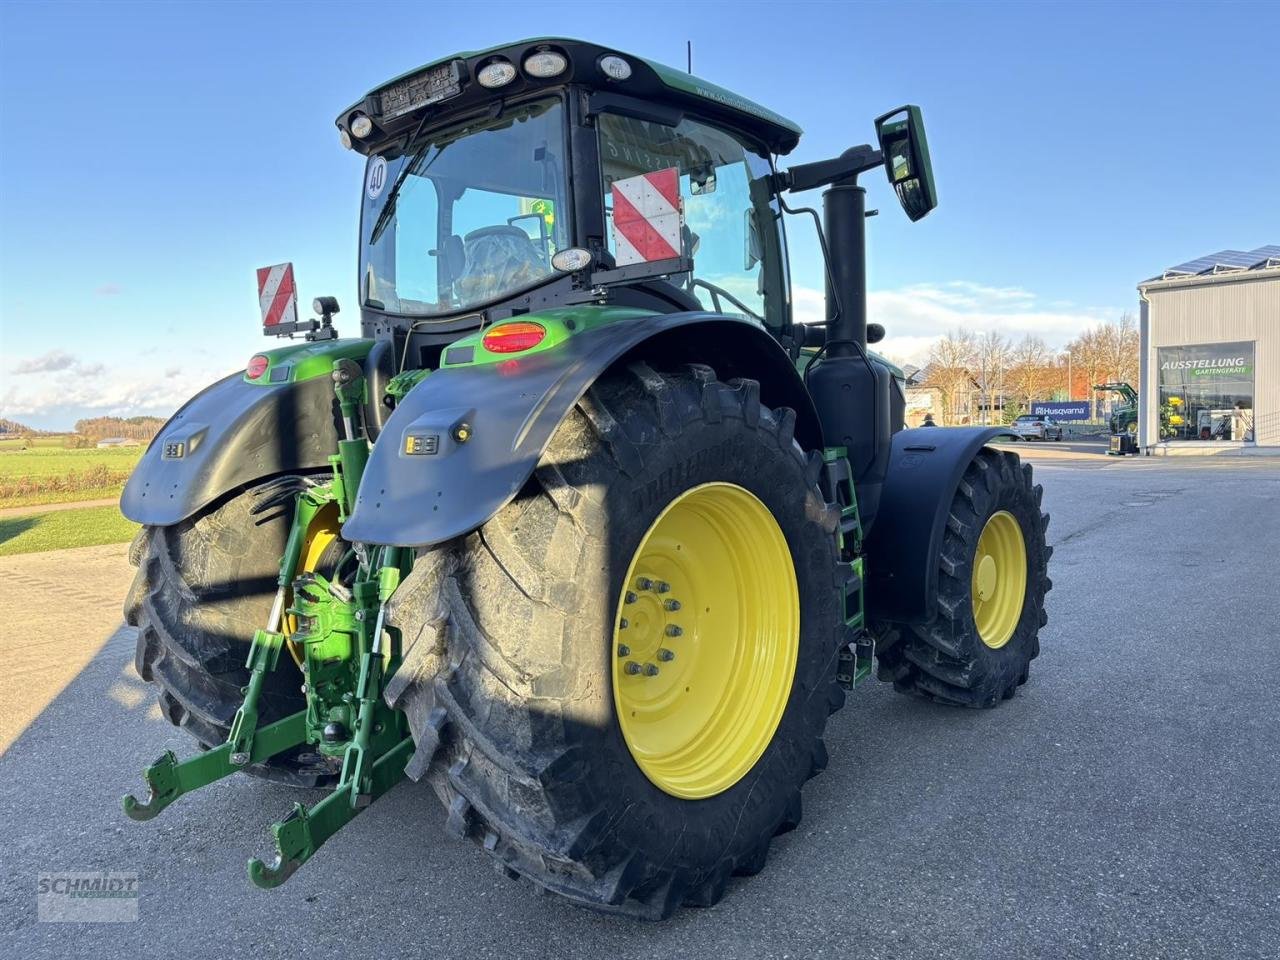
(993, 579)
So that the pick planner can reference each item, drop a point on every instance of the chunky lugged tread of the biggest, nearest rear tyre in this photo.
(500, 764)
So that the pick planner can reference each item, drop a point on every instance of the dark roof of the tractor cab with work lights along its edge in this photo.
(648, 81)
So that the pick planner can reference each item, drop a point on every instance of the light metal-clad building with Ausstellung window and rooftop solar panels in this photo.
(1210, 363)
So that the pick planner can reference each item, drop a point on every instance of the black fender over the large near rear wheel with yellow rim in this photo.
(509, 413)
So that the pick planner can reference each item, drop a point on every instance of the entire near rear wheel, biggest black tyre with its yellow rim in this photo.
(513, 662)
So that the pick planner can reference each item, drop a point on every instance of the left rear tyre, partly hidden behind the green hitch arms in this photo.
(203, 588)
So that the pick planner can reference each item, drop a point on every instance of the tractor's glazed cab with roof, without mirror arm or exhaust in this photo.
(528, 176)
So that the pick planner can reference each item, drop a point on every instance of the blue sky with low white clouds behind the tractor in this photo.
(157, 153)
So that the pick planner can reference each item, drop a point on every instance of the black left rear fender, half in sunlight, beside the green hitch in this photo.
(231, 435)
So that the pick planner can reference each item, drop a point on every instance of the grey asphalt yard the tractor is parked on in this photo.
(1124, 804)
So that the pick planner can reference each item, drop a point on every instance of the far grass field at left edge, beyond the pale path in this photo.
(54, 476)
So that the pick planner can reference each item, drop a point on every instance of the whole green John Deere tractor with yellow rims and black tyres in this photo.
(569, 533)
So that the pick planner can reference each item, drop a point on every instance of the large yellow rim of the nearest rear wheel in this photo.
(706, 641)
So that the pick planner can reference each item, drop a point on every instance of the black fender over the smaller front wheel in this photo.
(925, 469)
